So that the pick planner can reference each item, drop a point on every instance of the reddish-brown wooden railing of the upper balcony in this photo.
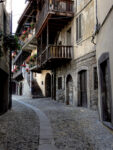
(53, 6)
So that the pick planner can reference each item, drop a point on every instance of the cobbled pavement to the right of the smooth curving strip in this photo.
(73, 128)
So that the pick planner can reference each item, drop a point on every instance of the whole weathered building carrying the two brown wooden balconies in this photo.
(66, 68)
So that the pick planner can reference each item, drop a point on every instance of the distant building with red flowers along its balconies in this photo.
(29, 83)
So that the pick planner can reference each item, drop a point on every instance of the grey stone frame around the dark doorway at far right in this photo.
(103, 58)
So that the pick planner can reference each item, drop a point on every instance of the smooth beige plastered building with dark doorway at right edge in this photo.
(104, 53)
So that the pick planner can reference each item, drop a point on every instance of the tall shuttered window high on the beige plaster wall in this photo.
(79, 27)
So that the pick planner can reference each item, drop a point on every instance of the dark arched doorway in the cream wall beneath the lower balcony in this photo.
(48, 85)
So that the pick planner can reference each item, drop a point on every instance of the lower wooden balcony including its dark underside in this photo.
(54, 56)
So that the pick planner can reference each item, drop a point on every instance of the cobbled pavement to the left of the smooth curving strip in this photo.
(19, 129)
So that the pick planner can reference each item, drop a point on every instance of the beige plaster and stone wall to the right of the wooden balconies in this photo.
(82, 87)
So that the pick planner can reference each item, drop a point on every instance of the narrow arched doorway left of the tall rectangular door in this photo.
(69, 90)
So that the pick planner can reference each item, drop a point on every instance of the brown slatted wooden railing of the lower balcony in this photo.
(54, 53)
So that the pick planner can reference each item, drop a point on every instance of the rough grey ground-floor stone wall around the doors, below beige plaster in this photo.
(87, 62)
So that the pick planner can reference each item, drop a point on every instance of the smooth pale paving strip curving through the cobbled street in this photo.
(46, 141)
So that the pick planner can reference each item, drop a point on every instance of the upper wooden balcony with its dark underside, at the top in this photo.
(55, 9)
